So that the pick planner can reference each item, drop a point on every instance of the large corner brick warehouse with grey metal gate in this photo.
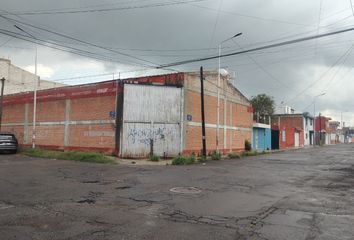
(134, 117)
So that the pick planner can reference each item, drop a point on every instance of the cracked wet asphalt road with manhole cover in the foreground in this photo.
(303, 194)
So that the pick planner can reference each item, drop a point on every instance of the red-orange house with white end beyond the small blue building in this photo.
(292, 130)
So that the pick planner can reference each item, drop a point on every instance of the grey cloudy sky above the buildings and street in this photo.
(131, 36)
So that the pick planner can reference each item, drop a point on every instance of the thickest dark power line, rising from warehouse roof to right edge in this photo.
(258, 48)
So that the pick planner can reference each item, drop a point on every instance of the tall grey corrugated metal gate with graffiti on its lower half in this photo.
(151, 115)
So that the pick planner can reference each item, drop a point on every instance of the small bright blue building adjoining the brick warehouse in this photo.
(262, 139)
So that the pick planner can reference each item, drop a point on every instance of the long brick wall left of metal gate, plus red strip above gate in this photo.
(71, 118)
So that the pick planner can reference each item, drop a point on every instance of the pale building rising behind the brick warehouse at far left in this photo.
(19, 80)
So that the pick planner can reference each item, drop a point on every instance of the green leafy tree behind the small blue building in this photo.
(263, 106)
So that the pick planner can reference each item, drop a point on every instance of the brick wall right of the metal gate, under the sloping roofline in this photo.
(237, 110)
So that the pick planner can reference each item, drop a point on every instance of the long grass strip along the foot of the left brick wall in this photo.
(72, 156)
